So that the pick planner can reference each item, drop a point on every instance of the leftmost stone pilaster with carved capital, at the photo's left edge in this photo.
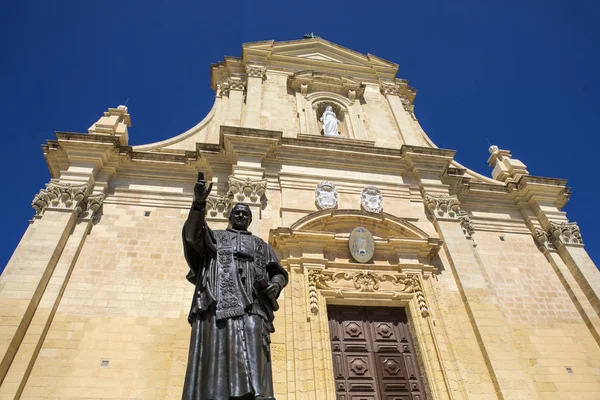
(31, 267)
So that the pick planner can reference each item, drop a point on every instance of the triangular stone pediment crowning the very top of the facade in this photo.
(319, 55)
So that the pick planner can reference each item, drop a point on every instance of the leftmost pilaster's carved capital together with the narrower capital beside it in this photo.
(64, 196)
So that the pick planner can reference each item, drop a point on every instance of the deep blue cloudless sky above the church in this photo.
(523, 74)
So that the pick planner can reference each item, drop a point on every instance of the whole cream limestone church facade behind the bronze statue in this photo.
(410, 275)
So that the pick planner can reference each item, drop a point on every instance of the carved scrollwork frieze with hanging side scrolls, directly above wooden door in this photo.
(364, 281)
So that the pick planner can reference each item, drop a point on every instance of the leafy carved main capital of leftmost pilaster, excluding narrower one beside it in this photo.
(60, 196)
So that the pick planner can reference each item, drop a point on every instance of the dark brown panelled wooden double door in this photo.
(373, 358)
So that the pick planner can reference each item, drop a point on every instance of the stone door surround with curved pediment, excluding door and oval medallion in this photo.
(322, 273)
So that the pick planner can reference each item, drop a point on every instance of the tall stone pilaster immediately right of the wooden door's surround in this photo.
(498, 348)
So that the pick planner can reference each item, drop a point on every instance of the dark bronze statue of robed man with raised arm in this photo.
(237, 280)
